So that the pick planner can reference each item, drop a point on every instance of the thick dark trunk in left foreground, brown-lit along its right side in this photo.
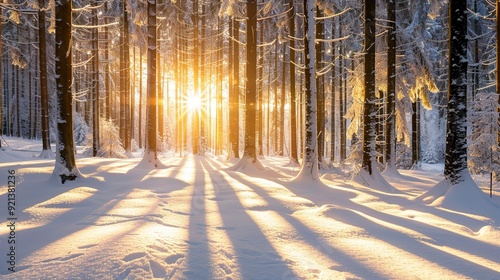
(65, 166)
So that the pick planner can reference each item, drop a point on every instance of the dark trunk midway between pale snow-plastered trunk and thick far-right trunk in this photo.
(369, 108)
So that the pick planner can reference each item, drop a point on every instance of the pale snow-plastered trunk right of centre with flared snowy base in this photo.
(309, 170)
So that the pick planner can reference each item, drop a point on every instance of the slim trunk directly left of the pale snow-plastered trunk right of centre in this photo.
(293, 101)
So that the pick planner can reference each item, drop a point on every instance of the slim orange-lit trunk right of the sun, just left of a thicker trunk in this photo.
(234, 98)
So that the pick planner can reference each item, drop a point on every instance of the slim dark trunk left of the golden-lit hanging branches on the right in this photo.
(390, 128)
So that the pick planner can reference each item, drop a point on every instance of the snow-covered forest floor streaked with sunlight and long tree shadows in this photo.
(196, 219)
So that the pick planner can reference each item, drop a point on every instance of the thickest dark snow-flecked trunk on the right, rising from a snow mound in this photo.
(456, 134)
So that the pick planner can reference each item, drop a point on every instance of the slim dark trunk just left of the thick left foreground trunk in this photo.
(44, 95)
